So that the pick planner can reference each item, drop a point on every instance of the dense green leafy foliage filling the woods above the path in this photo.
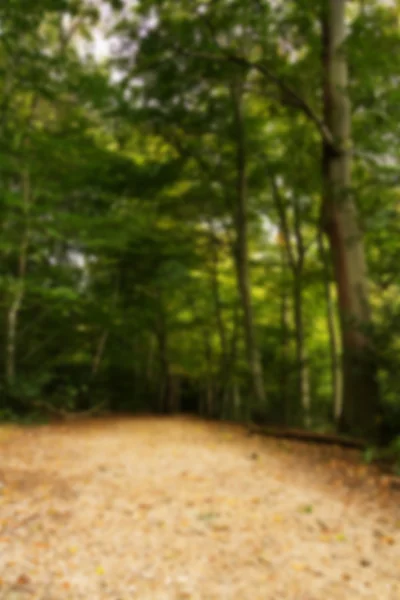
(118, 181)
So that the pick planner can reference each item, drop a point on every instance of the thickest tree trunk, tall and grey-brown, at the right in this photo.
(360, 393)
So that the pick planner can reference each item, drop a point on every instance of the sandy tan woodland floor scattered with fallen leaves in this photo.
(181, 509)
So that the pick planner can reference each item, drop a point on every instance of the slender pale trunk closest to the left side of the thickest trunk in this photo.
(336, 368)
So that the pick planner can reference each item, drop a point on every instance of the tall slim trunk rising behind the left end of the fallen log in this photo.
(241, 253)
